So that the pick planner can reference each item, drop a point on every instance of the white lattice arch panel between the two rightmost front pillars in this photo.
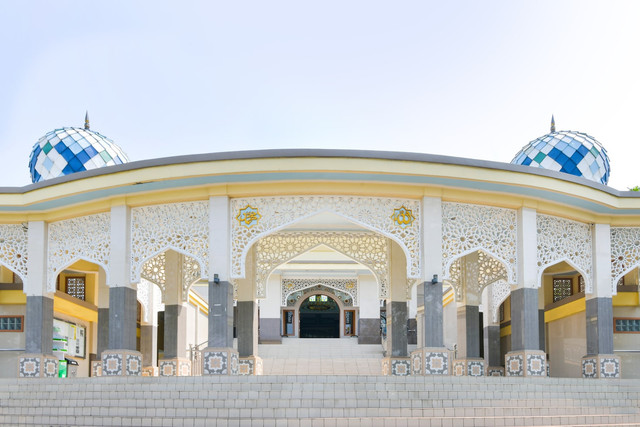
(561, 239)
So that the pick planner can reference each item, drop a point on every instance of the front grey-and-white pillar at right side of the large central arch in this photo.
(433, 358)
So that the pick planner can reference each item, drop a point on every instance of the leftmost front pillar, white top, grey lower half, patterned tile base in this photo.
(38, 359)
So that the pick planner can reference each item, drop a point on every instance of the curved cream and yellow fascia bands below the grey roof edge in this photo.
(380, 186)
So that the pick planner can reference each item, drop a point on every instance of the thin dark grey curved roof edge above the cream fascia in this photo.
(318, 153)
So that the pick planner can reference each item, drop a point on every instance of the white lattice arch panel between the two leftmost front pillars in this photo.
(86, 237)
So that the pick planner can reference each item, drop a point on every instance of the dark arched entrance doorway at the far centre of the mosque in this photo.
(319, 317)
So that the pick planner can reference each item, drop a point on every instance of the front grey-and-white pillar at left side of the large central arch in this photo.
(219, 358)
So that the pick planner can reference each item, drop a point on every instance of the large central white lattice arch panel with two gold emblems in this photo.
(374, 213)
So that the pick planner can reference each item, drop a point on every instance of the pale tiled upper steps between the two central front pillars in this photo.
(321, 356)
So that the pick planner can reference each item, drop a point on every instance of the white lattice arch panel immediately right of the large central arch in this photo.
(467, 228)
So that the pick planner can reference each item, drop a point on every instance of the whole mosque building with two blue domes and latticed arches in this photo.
(153, 267)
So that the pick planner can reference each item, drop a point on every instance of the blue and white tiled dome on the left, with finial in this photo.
(68, 150)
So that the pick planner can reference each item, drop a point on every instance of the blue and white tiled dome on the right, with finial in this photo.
(574, 153)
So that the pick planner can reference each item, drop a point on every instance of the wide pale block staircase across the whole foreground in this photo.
(319, 401)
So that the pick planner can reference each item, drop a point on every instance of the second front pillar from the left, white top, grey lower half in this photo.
(121, 358)
